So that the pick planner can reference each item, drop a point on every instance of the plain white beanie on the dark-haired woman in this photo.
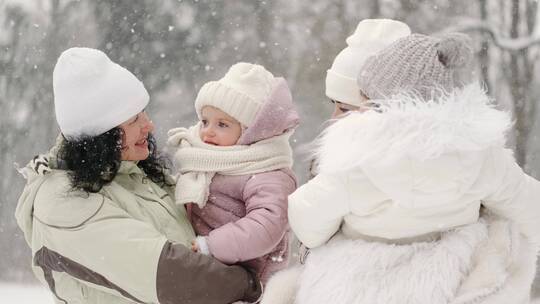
(92, 94)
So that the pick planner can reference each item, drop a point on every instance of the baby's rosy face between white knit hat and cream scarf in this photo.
(218, 128)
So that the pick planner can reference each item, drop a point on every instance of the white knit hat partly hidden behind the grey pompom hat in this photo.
(371, 36)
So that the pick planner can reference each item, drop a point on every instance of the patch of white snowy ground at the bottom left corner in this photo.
(19, 294)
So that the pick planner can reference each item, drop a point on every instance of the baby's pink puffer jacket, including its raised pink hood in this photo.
(245, 218)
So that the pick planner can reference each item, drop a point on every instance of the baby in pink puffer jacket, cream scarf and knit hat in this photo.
(235, 168)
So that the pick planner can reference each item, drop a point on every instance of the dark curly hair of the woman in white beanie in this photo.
(94, 161)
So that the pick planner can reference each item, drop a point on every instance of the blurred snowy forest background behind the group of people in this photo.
(174, 46)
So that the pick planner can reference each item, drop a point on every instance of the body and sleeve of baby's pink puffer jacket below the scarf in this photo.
(245, 220)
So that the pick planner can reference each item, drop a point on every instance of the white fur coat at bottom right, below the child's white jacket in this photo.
(488, 262)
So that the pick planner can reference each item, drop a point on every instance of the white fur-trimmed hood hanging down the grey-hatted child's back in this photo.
(420, 154)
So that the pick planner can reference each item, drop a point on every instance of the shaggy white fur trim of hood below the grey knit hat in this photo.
(407, 127)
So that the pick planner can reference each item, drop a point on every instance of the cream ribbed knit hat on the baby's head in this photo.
(240, 93)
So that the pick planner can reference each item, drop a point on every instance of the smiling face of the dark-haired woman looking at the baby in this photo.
(134, 141)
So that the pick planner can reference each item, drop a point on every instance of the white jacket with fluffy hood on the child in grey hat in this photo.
(413, 168)
